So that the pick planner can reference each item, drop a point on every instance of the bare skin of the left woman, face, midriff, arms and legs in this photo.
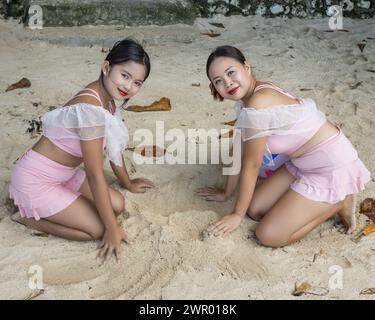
(92, 216)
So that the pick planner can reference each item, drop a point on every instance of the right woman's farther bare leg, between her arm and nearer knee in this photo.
(268, 192)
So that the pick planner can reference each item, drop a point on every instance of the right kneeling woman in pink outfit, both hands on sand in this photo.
(322, 177)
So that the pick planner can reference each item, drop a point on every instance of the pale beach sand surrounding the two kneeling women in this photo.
(171, 258)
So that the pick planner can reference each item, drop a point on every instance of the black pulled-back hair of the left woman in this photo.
(129, 50)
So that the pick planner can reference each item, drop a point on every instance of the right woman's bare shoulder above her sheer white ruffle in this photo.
(267, 97)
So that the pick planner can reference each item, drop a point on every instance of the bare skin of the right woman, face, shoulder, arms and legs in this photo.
(285, 216)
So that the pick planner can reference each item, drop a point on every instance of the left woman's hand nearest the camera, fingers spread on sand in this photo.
(111, 241)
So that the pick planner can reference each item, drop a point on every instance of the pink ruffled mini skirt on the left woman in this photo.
(41, 187)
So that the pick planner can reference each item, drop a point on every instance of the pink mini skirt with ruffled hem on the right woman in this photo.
(329, 171)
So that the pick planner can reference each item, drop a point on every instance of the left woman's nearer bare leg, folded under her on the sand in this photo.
(79, 221)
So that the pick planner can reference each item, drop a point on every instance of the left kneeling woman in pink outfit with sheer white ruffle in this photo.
(52, 193)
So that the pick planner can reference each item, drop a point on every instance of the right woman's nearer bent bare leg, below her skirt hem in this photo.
(293, 217)
